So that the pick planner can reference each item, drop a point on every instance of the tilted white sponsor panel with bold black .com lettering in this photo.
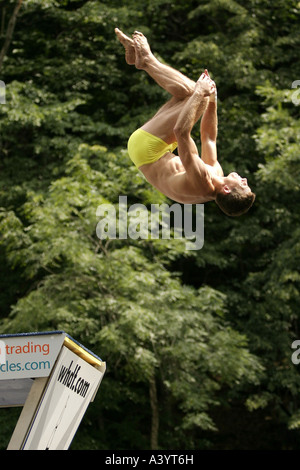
(71, 387)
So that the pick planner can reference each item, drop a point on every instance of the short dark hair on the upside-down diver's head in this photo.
(236, 202)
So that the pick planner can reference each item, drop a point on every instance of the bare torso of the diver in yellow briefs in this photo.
(169, 176)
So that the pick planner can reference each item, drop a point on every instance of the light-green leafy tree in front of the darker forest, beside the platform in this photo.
(121, 301)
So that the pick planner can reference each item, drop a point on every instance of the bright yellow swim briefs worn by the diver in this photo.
(144, 147)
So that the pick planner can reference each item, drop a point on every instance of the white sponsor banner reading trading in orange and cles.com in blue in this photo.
(29, 355)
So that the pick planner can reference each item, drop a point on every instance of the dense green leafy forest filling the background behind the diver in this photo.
(197, 343)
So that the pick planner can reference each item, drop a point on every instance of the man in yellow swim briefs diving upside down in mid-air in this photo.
(185, 178)
